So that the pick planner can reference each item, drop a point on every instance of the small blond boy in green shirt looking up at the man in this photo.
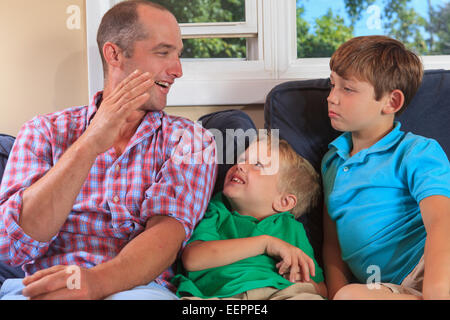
(249, 245)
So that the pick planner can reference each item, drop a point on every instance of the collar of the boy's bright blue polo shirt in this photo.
(343, 144)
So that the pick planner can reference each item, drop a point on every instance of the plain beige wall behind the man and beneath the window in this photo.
(44, 65)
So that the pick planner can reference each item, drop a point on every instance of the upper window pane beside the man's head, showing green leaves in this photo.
(206, 10)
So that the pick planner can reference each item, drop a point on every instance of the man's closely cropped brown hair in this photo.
(121, 26)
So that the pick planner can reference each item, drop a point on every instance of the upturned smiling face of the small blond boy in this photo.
(251, 185)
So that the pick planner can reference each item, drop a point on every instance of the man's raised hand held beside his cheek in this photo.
(114, 110)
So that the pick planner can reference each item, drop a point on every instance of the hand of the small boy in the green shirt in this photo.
(293, 260)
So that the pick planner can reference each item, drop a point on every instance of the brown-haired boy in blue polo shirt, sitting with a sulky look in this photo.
(387, 192)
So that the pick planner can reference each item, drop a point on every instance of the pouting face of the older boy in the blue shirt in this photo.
(352, 105)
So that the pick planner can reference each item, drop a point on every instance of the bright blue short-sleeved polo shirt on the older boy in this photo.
(373, 197)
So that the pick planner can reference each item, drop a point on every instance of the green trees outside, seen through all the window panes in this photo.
(424, 32)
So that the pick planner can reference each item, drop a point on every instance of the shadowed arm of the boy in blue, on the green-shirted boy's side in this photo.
(337, 273)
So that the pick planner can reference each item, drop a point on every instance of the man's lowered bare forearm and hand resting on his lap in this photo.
(139, 262)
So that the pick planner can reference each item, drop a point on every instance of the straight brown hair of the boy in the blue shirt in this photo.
(383, 62)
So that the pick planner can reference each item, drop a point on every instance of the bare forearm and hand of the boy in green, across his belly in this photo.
(200, 255)
